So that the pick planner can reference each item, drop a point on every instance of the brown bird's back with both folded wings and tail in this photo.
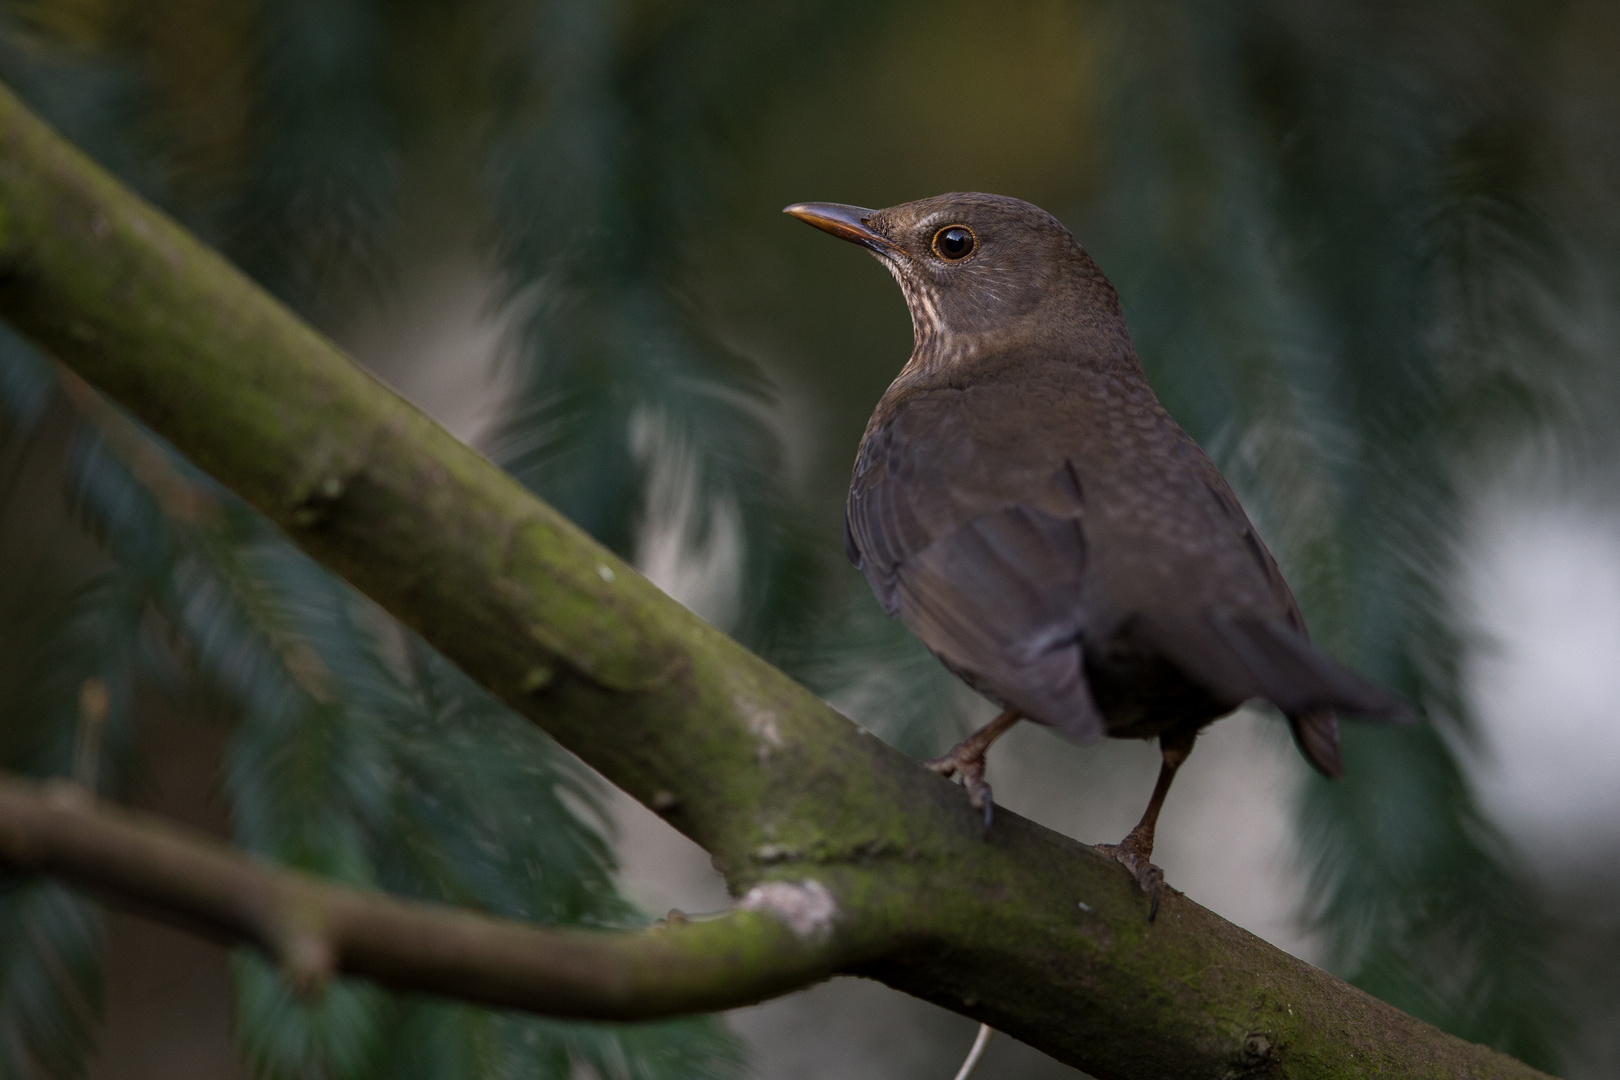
(992, 569)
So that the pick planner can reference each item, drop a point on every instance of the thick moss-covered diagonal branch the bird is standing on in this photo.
(1025, 930)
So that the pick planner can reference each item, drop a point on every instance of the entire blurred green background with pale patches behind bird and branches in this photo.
(1370, 255)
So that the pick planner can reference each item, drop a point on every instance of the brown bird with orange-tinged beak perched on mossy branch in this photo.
(1031, 511)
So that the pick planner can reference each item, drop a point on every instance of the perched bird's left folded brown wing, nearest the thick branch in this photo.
(986, 569)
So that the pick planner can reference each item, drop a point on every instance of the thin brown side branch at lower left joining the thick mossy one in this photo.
(770, 945)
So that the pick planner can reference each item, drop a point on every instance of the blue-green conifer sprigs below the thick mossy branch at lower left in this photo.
(357, 754)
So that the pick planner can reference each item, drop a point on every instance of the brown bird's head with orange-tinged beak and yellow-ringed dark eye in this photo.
(978, 270)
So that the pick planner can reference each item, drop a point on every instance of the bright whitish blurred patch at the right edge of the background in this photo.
(1543, 584)
